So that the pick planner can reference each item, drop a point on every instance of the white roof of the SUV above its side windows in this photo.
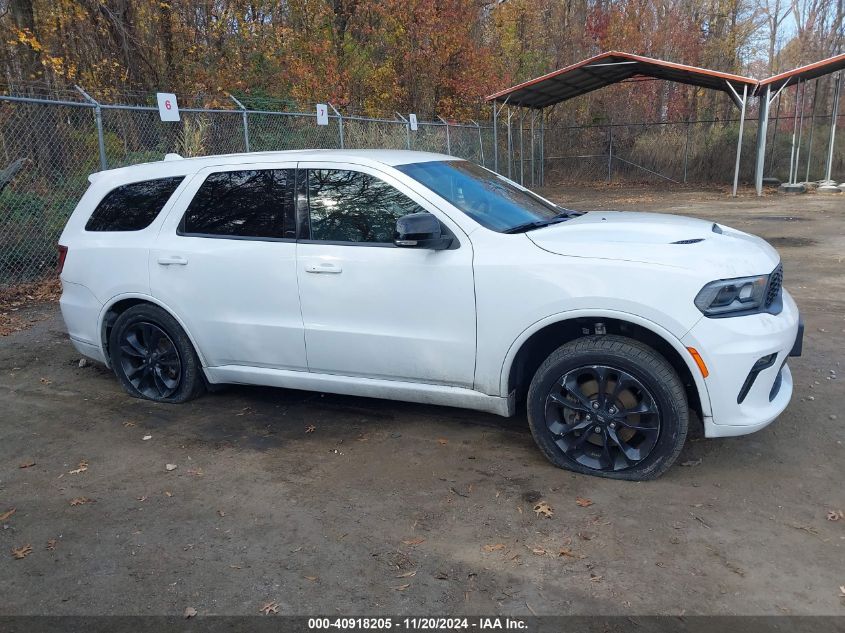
(175, 166)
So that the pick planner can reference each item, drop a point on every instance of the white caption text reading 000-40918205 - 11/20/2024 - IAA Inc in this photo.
(419, 624)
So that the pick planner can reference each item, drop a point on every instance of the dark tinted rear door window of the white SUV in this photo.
(254, 203)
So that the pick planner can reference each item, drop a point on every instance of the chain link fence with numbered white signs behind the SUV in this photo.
(49, 147)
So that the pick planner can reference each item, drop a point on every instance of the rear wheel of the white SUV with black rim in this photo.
(153, 357)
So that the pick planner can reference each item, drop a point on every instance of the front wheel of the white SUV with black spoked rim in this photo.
(633, 428)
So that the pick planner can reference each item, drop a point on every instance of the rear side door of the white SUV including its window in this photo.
(225, 263)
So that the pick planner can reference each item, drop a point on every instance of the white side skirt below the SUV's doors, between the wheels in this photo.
(366, 387)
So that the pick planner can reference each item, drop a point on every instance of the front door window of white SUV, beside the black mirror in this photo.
(348, 206)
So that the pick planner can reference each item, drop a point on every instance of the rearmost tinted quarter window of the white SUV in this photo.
(132, 207)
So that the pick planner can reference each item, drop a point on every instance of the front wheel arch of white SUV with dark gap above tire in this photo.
(534, 345)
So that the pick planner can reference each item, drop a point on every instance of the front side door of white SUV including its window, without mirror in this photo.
(371, 309)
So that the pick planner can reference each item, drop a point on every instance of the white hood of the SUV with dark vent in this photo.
(657, 238)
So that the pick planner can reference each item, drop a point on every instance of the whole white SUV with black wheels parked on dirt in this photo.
(421, 277)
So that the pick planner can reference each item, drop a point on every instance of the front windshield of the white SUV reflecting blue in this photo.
(486, 197)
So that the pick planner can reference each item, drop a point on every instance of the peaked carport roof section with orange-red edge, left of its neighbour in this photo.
(611, 68)
